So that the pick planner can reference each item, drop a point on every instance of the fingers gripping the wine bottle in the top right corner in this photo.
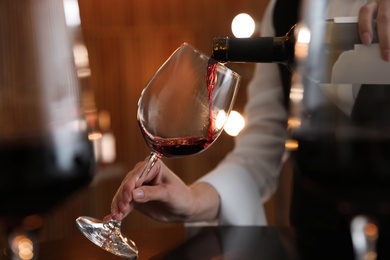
(378, 10)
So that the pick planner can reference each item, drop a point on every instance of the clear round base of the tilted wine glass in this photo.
(107, 236)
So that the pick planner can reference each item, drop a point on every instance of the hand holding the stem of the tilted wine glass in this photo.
(163, 196)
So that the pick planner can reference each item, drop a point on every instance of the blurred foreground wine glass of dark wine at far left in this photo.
(45, 154)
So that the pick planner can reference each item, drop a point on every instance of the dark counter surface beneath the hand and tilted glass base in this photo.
(217, 243)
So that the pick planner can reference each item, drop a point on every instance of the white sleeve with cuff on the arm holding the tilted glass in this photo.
(249, 174)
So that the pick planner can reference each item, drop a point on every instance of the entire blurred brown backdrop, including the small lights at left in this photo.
(118, 46)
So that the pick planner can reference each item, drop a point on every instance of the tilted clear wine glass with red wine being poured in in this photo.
(181, 112)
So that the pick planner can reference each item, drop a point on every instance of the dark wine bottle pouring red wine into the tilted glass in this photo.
(339, 36)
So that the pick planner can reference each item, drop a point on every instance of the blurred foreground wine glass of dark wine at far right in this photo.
(343, 130)
